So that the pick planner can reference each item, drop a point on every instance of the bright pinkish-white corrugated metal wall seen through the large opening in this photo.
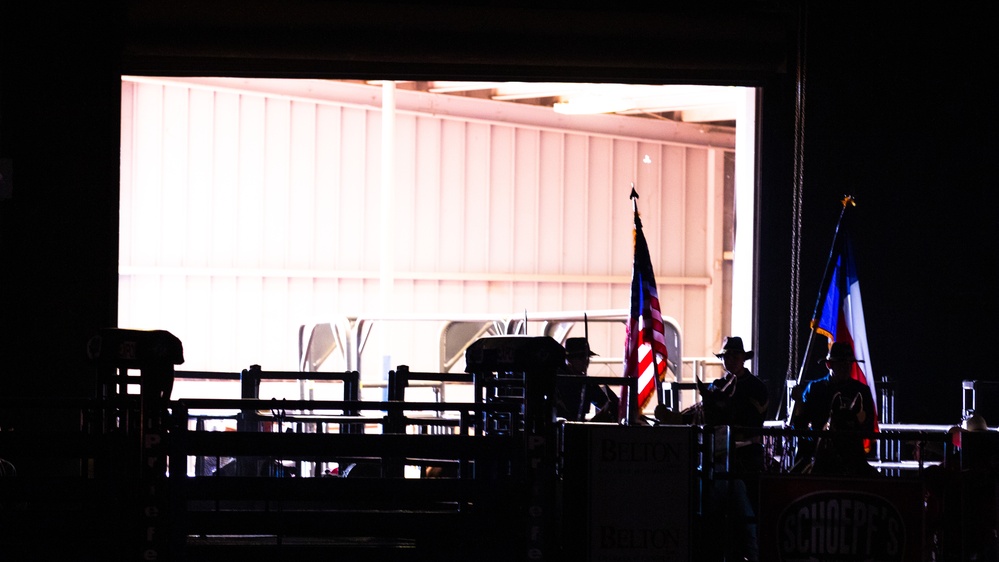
(246, 214)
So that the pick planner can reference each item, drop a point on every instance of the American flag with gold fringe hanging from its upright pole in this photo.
(645, 341)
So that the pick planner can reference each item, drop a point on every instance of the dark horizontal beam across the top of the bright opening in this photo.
(447, 40)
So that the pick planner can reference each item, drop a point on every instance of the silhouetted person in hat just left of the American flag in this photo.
(573, 399)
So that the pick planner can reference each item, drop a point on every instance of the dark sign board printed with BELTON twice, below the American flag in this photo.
(628, 492)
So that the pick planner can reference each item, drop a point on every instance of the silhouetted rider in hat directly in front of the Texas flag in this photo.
(837, 399)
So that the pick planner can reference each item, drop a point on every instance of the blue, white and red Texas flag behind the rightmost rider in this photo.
(842, 317)
